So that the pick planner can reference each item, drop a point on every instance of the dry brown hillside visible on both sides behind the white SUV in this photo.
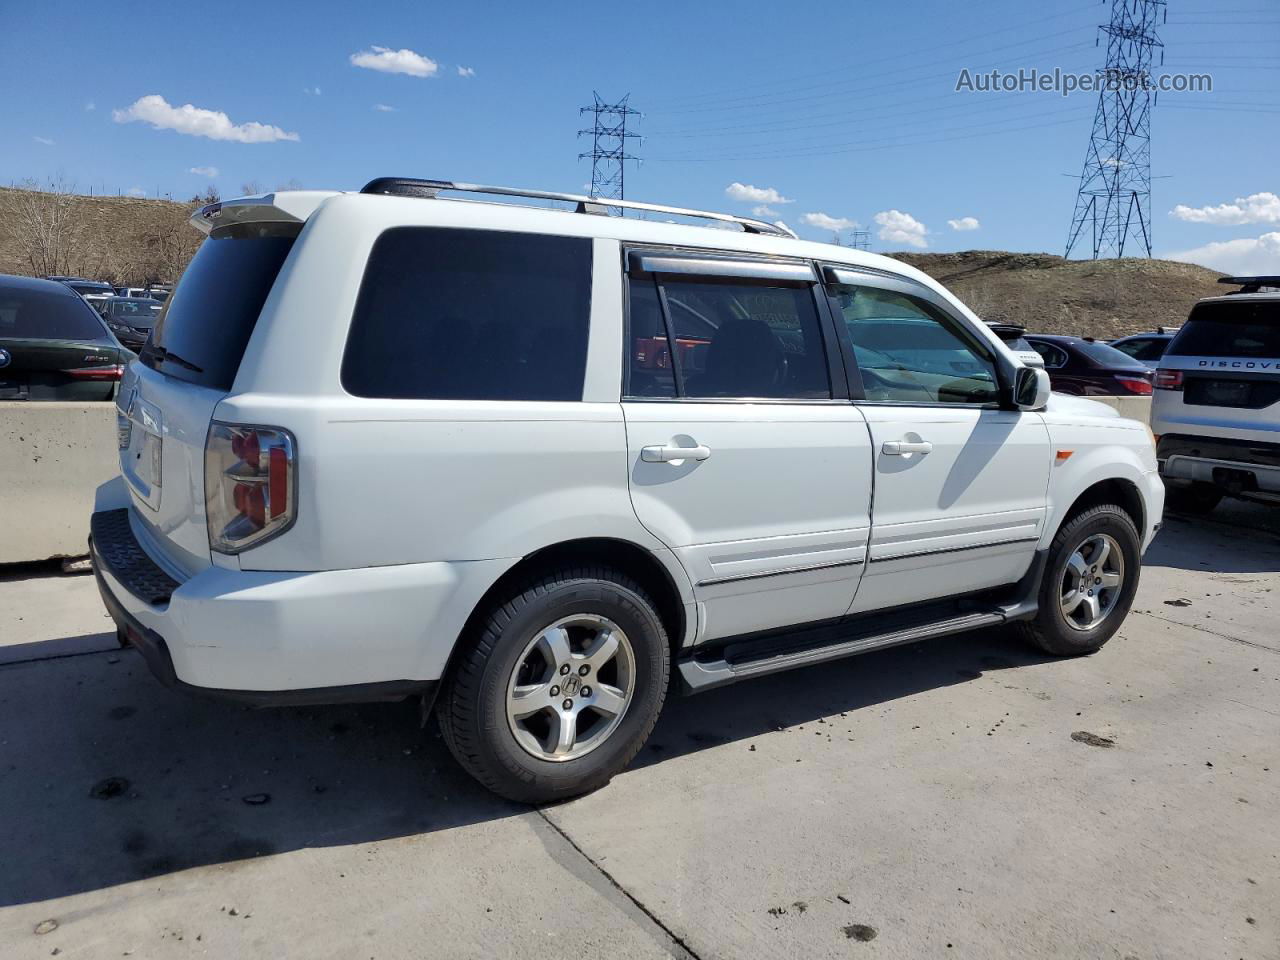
(134, 241)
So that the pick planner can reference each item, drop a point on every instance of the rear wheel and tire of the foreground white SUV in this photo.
(560, 685)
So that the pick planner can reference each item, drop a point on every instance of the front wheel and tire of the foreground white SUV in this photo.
(1090, 583)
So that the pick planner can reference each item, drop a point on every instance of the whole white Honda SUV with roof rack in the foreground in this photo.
(532, 464)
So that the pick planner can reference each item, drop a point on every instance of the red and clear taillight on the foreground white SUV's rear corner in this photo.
(250, 486)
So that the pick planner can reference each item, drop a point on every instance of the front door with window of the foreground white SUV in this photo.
(961, 484)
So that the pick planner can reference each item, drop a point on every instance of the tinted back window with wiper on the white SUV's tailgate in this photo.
(205, 326)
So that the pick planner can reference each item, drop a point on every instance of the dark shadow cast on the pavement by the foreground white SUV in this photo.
(106, 778)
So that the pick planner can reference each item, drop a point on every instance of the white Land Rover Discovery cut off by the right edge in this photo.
(1217, 408)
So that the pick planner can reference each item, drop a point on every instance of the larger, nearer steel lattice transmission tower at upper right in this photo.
(1113, 207)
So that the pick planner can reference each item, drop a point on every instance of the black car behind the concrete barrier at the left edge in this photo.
(53, 346)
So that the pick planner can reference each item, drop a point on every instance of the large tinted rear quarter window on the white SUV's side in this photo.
(447, 314)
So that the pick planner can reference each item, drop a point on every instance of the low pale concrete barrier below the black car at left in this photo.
(53, 456)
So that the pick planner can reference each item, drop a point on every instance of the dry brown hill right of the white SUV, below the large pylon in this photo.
(1046, 294)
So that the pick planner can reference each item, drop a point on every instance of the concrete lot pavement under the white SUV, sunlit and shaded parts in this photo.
(920, 802)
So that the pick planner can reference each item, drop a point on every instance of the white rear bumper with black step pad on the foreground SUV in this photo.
(280, 638)
